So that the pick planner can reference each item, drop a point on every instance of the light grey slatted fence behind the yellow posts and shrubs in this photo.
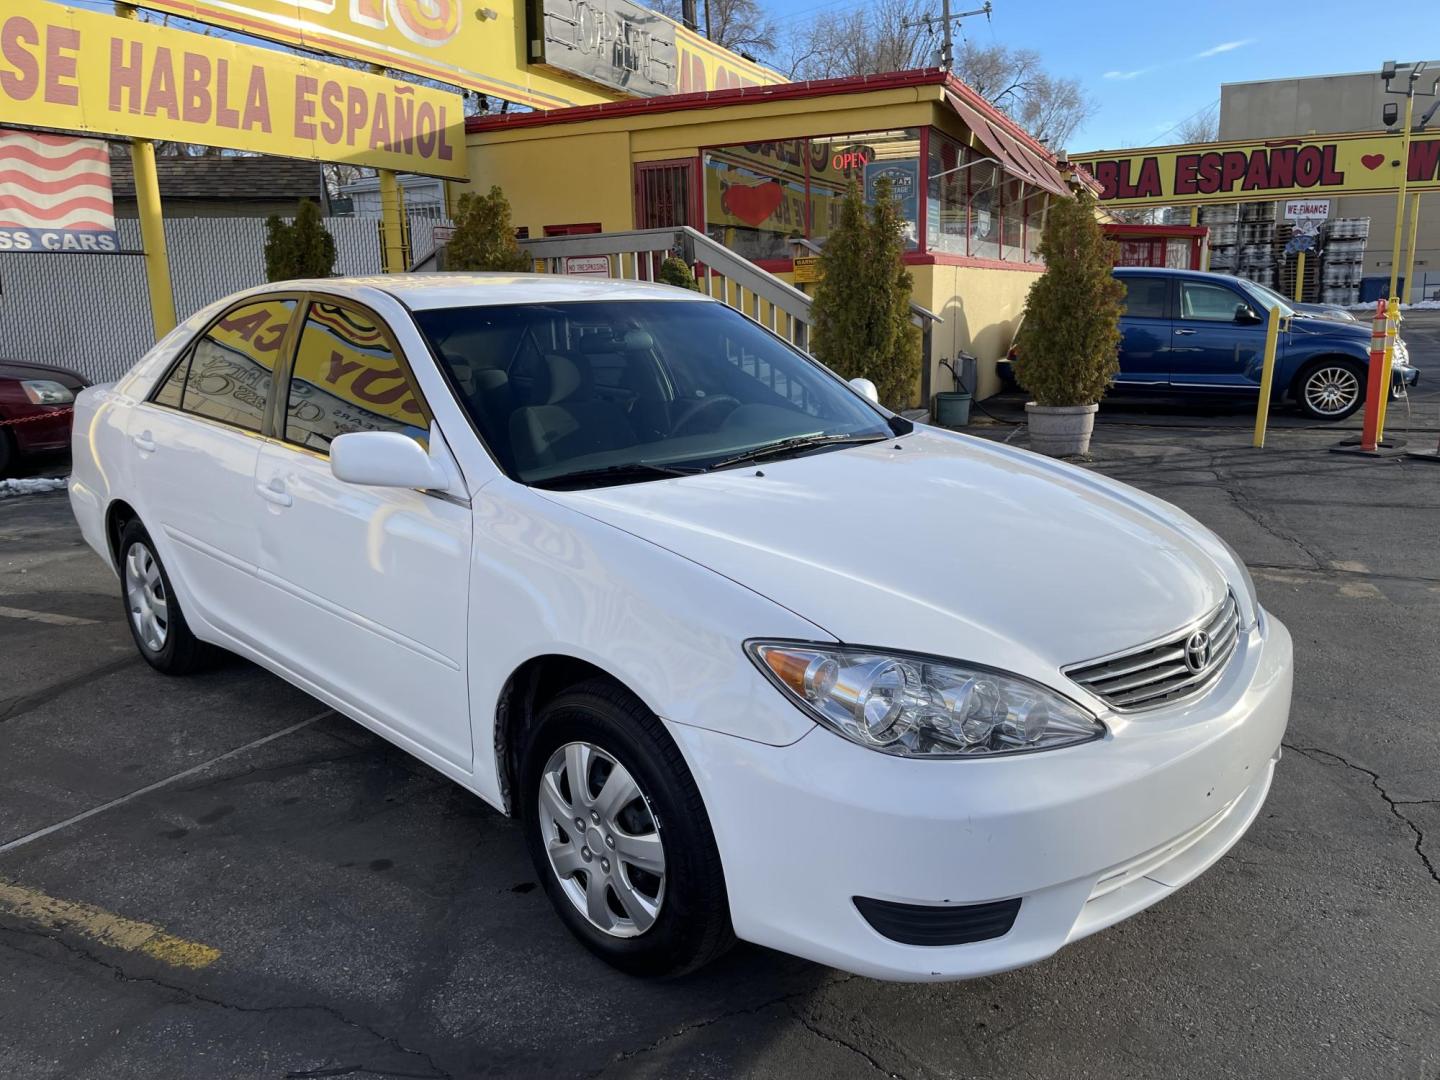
(93, 312)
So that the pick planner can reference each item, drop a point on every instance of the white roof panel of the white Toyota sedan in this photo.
(460, 290)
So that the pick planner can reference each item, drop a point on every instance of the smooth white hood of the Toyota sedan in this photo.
(938, 544)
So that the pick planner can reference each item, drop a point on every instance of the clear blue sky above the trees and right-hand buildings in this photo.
(1151, 64)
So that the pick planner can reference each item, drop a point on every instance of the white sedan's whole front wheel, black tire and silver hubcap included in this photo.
(620, 837)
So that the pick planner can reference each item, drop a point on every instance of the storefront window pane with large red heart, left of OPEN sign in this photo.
(755, 198)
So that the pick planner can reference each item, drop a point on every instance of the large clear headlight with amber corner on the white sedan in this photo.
(919, 706)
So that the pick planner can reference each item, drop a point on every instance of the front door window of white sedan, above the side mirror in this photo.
(349, 378)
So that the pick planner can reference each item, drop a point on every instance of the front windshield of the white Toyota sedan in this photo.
(614, 392)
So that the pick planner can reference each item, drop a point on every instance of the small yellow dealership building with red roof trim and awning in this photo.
(761, 171)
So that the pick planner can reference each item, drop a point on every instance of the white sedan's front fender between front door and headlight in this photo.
(548, 581)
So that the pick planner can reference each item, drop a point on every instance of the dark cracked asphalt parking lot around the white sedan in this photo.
(217, 878)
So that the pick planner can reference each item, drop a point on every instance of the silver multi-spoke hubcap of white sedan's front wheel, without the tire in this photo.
(603, 840)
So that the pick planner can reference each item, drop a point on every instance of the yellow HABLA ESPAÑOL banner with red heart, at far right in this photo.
(1363, 163)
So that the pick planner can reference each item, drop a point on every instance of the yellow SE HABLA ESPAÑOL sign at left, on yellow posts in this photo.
(83, 71)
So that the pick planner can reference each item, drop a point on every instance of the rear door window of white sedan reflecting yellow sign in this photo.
(227, 374)
